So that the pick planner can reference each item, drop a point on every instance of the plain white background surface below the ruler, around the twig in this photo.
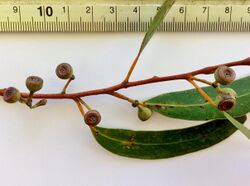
(51, 146)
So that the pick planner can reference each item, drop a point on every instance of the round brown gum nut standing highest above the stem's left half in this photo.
(64, 71)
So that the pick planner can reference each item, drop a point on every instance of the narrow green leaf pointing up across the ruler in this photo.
(165, 7)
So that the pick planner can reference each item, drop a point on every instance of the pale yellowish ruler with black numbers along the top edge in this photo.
(122, 15)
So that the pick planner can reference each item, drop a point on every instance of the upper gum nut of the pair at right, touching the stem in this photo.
(224, 75)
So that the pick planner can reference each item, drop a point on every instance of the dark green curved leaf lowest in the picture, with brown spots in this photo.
(164, 144)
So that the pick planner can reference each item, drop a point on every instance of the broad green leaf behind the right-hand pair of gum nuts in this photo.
(190, 105)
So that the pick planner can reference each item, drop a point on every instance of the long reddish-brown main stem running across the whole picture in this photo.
(122, 85)
